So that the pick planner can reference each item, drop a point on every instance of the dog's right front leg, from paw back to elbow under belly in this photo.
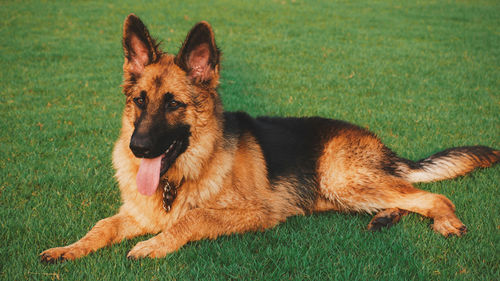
(202, 223)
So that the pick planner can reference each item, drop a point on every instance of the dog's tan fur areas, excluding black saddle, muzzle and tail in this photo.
(225, 187)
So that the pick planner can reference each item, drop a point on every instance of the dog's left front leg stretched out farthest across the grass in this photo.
(105, 232)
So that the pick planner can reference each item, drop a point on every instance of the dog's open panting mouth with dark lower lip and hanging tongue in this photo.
(151, 170)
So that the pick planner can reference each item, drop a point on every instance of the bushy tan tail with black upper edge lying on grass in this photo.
(449, 163)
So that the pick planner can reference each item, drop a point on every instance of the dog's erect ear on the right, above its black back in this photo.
(199, 55)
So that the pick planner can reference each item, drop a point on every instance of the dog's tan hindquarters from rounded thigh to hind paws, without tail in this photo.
(355, 173)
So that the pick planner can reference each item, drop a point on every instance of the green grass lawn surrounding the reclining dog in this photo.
(424, 75)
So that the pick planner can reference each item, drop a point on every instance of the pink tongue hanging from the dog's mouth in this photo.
(148, 175)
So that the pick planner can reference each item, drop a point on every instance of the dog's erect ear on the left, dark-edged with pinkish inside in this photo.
(138, 46)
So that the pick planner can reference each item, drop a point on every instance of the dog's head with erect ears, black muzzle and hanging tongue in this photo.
(167, 95)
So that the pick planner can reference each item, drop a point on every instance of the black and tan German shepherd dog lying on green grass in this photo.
(187, 170)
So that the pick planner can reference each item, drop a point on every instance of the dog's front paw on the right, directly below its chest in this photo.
(156, 247)
